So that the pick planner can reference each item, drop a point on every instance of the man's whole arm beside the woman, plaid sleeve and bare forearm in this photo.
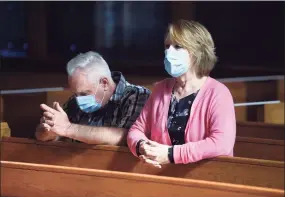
(112, 135)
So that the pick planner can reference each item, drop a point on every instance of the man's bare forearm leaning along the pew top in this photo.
(97, 135)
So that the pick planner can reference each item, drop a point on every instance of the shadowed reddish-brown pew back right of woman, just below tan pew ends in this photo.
(260, 130)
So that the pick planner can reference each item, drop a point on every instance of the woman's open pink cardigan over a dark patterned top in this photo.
(210, 130)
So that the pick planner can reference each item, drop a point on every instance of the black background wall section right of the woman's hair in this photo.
(246, 33)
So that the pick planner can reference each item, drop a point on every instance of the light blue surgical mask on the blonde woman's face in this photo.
(176, 61)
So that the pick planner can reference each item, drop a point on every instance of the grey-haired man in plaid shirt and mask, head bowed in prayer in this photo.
(102, 109)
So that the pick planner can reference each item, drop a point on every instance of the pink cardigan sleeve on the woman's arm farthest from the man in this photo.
(222, 133)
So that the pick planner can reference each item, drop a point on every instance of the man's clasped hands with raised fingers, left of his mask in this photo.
(55, 119)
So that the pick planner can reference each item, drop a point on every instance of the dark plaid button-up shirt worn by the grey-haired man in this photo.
(121, 111)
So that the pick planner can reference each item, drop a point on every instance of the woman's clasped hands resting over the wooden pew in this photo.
(154, 153)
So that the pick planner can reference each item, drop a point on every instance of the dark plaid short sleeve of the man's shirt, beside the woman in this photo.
(132, 106)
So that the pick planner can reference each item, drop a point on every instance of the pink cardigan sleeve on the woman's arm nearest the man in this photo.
(140, 129)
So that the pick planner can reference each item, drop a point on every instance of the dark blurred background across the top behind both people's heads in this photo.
(42, 36)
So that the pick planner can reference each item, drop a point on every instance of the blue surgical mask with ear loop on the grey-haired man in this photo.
(88, 103)
